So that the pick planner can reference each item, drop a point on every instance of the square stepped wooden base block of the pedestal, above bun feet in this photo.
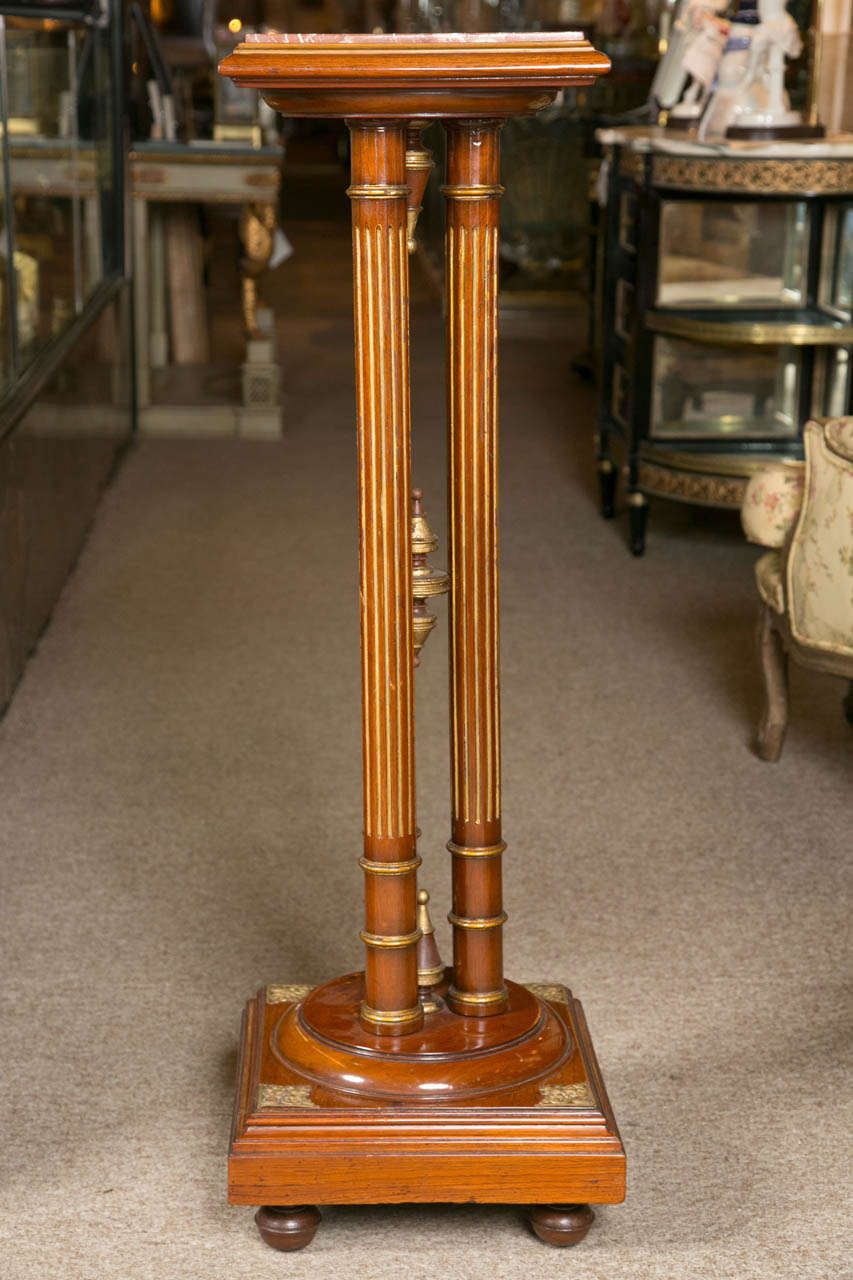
(289, 1150)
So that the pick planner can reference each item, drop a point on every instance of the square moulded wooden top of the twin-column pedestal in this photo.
(402, 77)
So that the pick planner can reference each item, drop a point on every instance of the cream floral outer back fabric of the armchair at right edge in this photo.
(819, 580)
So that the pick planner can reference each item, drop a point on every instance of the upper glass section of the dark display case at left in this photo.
(61, 199)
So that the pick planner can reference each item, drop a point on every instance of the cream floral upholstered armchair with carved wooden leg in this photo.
(804, 511)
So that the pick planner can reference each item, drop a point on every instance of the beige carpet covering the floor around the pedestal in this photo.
(181, 816)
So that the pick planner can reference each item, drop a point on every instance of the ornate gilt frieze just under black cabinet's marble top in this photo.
(765, 177)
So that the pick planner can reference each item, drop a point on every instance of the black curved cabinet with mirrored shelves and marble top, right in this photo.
(727, 304)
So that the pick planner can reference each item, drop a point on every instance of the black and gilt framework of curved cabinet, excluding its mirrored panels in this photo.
(647, 173)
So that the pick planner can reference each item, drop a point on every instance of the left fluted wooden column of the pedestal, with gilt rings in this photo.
(381, 269)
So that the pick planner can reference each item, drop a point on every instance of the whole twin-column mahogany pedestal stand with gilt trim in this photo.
(375, 1089)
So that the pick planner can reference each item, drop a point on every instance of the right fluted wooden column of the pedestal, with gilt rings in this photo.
(472, 262)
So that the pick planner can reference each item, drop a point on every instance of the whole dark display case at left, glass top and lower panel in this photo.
(65, 316)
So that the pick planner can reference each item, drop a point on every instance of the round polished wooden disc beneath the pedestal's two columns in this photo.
(451, 1059)
